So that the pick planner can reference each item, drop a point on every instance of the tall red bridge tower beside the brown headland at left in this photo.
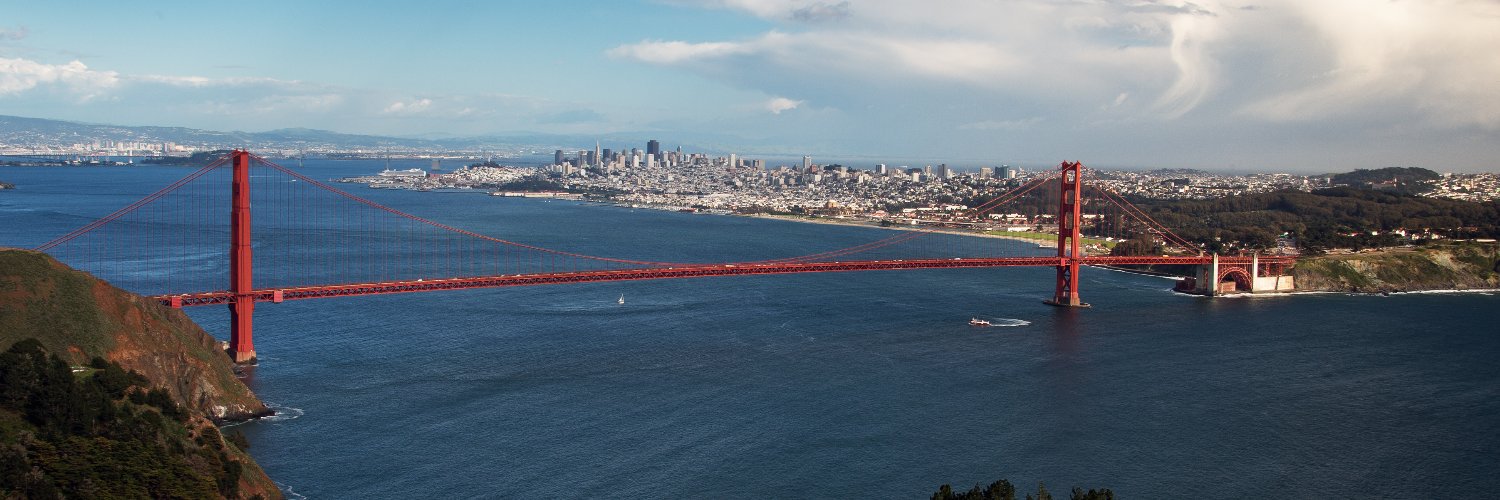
(242, 312)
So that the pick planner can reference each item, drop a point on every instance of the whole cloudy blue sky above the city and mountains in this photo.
(1306, 86)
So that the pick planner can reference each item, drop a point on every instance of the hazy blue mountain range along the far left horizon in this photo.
(25, 133)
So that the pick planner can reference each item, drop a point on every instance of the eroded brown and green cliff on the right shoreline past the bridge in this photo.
(1445, 268)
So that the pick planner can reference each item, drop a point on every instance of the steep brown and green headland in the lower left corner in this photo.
(50, 312)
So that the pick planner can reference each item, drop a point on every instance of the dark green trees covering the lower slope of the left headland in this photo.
(101, 432)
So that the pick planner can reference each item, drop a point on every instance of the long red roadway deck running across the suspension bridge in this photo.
(412, 286)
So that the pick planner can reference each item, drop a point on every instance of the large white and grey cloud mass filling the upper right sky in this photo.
(1277, 61)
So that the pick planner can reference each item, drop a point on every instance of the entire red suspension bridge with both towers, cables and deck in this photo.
(152, 247)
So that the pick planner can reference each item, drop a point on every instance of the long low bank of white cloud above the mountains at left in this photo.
(250, 103)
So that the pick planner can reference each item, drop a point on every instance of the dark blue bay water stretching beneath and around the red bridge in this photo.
(845, 385)
